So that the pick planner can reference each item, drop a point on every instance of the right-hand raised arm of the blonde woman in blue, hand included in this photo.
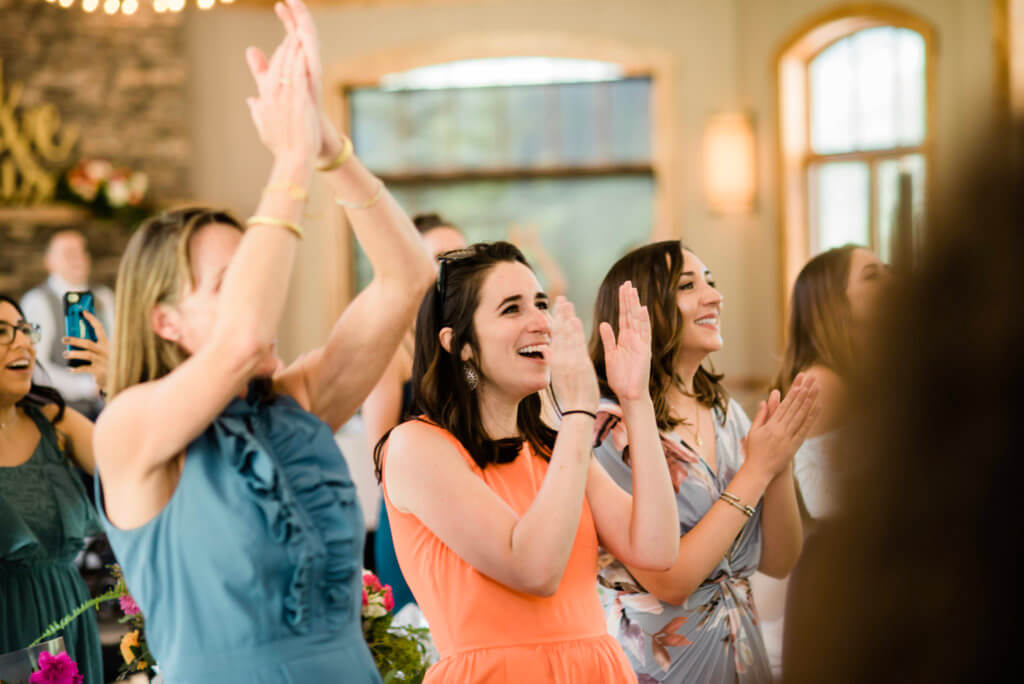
(334, 380)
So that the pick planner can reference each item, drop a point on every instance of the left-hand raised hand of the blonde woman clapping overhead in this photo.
(284, 113)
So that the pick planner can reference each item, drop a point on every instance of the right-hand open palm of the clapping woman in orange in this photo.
(627, 360)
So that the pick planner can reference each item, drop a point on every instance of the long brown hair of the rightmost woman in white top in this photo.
(820, 319)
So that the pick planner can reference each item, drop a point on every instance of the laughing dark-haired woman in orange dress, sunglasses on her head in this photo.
(497, 518)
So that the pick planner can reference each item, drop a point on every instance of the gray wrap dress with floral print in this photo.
(714, 636)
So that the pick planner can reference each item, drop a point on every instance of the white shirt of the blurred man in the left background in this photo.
(72, 387)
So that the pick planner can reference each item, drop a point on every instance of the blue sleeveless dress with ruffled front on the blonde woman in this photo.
(251, 573)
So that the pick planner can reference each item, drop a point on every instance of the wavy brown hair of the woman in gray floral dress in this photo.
(655, 271)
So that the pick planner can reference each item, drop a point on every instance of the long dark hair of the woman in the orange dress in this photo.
(441, 392)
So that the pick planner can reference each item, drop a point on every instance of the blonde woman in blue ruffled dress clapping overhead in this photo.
(223, 491)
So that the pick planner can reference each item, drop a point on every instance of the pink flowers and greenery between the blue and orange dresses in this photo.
(400, 652)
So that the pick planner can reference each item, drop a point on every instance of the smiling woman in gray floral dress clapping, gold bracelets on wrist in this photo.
(734, 479)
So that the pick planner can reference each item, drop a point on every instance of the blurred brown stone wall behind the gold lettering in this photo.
(122, 81)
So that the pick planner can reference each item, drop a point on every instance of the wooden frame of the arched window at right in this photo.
(794, 120)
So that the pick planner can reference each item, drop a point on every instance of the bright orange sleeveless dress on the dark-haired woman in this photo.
(487, 632)
